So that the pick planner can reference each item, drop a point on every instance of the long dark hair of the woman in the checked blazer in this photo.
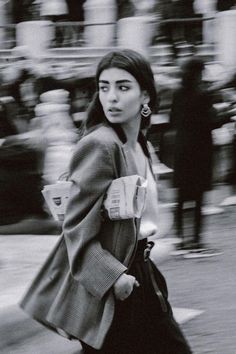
(138, 67)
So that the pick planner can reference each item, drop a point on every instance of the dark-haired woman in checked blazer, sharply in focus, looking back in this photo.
(99, 284)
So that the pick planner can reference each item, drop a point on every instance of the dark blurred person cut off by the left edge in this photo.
(21, 156)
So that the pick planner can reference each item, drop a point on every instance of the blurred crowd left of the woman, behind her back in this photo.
(40, 118)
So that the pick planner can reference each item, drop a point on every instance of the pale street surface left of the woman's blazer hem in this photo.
(20, 257)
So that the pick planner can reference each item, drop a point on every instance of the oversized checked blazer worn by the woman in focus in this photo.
(73, 289)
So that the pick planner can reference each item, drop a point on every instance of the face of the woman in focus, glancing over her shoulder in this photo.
(120, 95)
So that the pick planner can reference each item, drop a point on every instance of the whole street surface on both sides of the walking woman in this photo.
(202, 291)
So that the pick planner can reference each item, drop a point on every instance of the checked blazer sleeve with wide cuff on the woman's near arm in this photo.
(92, 172)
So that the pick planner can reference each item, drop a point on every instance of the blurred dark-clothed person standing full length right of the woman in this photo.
(193, 118)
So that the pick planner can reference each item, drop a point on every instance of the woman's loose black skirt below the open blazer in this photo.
(144, 322)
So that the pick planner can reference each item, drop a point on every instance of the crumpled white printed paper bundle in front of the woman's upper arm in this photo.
(126, 197)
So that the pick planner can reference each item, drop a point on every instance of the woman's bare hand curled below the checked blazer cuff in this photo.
(124, 286)
